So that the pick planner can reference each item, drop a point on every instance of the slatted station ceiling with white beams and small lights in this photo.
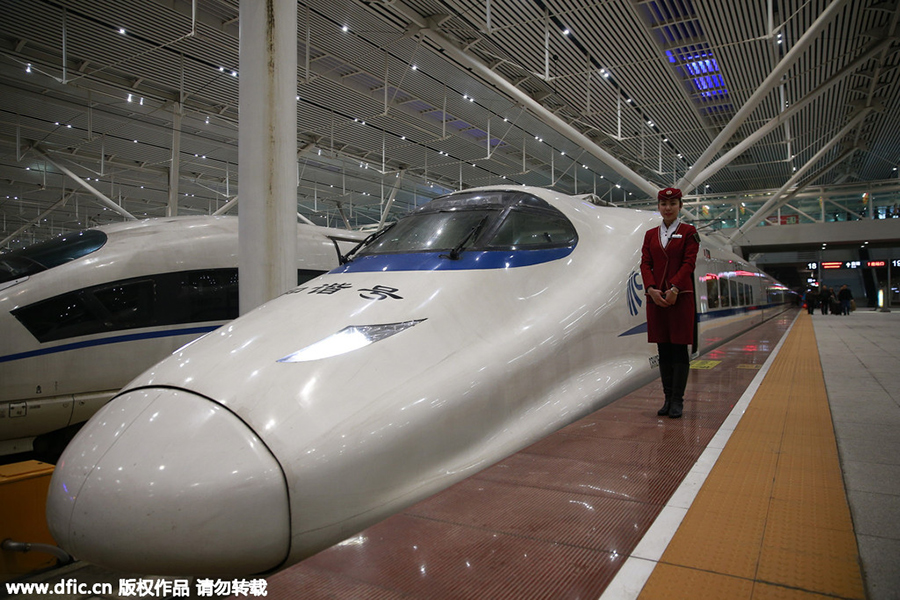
(423, 97)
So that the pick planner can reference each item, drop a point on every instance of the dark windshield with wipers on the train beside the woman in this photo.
(501, 220)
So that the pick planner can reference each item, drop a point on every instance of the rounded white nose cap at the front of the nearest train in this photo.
(166, 482)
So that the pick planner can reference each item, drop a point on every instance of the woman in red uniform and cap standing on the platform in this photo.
(668, 257)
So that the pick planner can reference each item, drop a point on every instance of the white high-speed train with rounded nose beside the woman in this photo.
(476, 325)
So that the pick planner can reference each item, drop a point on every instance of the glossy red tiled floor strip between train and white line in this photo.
(556, 520)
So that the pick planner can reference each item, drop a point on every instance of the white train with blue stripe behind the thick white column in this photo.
(83, 314)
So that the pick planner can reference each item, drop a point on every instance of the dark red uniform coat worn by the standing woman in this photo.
(662, 268)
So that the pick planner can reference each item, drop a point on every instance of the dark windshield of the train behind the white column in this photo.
(51, 253)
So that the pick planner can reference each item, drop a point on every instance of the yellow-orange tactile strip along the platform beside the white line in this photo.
(771, 520)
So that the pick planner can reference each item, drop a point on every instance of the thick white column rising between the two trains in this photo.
(267, 150)
